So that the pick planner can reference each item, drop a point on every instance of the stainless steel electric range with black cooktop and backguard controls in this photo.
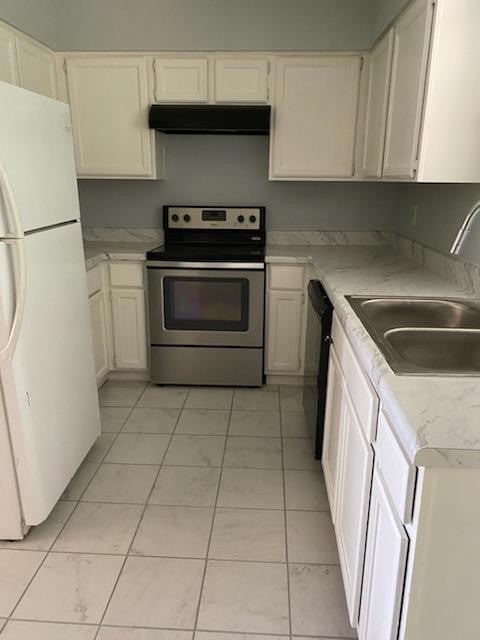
(207, 297)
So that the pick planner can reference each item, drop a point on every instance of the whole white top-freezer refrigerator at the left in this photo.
(49, 415)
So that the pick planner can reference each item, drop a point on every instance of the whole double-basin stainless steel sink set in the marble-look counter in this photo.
(424, 336)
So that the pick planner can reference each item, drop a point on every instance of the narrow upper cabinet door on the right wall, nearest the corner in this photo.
(377, 105)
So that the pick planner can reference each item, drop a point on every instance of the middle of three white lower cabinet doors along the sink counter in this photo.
(354, 481)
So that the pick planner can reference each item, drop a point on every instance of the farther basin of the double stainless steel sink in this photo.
(419, 312)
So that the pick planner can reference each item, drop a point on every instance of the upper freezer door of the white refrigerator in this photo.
(36, 150)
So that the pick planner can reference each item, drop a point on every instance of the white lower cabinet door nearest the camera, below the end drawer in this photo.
(384, 573)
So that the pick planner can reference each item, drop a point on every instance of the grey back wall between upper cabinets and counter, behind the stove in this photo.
(222, 170)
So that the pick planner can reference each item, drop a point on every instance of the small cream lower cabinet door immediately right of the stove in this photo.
(285, 328)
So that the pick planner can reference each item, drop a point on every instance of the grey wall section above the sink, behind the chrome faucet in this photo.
(441, 210)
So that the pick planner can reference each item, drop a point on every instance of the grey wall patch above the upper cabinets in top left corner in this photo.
(37, 18)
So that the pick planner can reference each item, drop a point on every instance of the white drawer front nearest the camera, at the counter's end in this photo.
(398, 474)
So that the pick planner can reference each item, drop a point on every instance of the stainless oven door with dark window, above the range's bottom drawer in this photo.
(206, 307)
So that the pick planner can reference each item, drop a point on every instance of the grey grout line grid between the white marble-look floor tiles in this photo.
(215, 507)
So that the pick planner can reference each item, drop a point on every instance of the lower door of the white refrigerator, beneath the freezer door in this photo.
(49, 384)
